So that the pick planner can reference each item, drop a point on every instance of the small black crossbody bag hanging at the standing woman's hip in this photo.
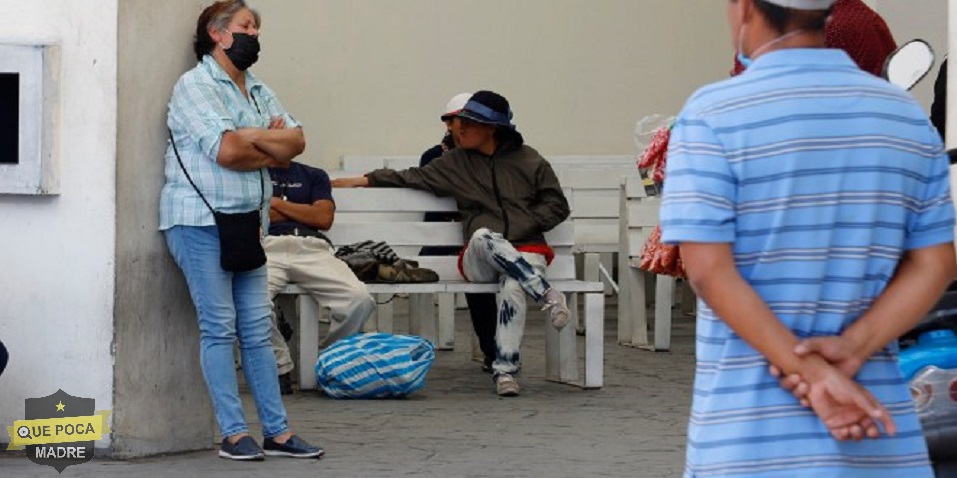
(240, 245)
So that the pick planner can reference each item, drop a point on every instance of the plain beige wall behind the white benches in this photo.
(372, 76)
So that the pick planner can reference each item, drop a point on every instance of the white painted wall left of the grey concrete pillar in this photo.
(56, 253)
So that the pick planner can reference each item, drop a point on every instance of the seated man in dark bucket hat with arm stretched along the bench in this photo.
(508, 196)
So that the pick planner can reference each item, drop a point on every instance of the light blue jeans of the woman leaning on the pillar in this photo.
(230, 307)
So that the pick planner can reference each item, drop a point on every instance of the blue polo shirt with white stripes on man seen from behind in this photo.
(821, 177)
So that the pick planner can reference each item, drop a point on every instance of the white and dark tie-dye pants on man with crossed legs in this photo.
(491, 258)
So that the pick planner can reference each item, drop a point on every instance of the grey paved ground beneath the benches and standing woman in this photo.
(458, 427)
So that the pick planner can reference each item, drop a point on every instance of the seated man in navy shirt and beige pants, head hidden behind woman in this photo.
(298, 252)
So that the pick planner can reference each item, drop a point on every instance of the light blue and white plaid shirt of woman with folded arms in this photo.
(205, 104)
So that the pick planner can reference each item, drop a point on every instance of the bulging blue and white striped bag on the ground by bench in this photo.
(374, 366)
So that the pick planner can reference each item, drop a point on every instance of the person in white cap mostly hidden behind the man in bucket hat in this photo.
(482, 307)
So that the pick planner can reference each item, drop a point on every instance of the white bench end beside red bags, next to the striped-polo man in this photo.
(639, 217)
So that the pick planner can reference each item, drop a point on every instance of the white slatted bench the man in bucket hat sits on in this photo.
(355, 207)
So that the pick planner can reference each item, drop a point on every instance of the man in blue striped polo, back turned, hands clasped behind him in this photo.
(810, 199)
